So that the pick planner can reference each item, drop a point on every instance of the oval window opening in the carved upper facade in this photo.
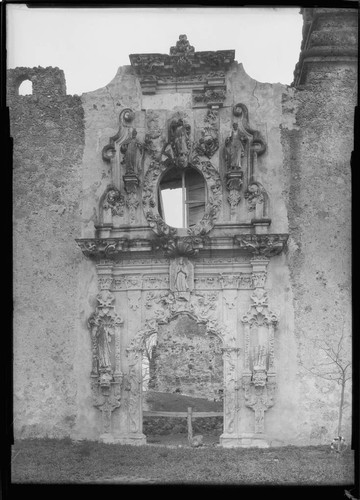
(182, 197)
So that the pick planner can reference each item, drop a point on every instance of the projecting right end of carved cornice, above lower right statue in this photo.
(264, 245)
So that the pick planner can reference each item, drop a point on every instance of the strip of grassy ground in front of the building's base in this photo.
(64, 461)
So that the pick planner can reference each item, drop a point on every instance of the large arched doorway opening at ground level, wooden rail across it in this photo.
(182, 368)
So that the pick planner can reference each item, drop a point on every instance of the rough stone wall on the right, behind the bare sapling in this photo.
(317, 156)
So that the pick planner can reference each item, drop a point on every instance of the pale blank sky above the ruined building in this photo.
(91, 44)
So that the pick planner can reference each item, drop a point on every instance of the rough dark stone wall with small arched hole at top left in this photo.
(48, 133)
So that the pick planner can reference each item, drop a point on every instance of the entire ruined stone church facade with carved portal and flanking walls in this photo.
(264, 270)
